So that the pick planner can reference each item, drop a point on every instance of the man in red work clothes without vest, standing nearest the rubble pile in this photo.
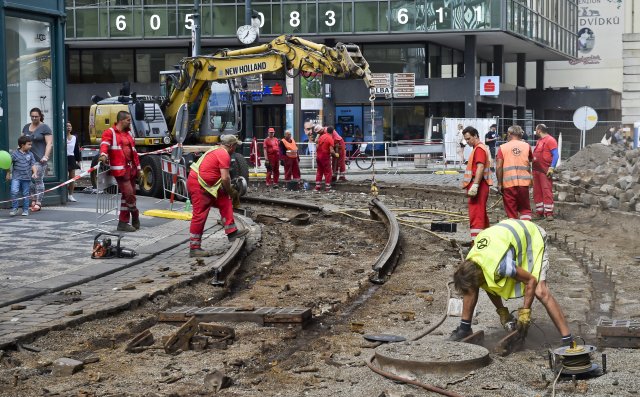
(545, 158)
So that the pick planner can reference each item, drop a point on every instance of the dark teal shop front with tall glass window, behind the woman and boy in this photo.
(32, 76)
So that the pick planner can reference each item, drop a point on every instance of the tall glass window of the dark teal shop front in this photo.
(29, 79)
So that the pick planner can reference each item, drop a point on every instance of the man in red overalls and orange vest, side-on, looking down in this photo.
(477, 179)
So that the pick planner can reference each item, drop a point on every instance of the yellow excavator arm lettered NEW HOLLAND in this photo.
(285, 52)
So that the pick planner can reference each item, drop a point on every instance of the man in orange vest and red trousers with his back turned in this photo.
(513, 172)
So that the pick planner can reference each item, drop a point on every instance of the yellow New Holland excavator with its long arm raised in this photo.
(161, 122)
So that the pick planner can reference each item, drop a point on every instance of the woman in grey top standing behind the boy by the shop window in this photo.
(42, 145)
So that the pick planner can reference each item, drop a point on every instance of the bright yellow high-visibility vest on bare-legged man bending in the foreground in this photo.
(491, 245)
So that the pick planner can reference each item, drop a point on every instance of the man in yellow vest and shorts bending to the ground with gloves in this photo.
(509, 260)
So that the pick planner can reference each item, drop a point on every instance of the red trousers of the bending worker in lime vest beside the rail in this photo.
(201, 203)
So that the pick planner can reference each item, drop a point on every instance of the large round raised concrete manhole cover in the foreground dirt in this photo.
(431, 355)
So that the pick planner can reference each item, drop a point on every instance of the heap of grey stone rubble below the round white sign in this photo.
(607, 176)
